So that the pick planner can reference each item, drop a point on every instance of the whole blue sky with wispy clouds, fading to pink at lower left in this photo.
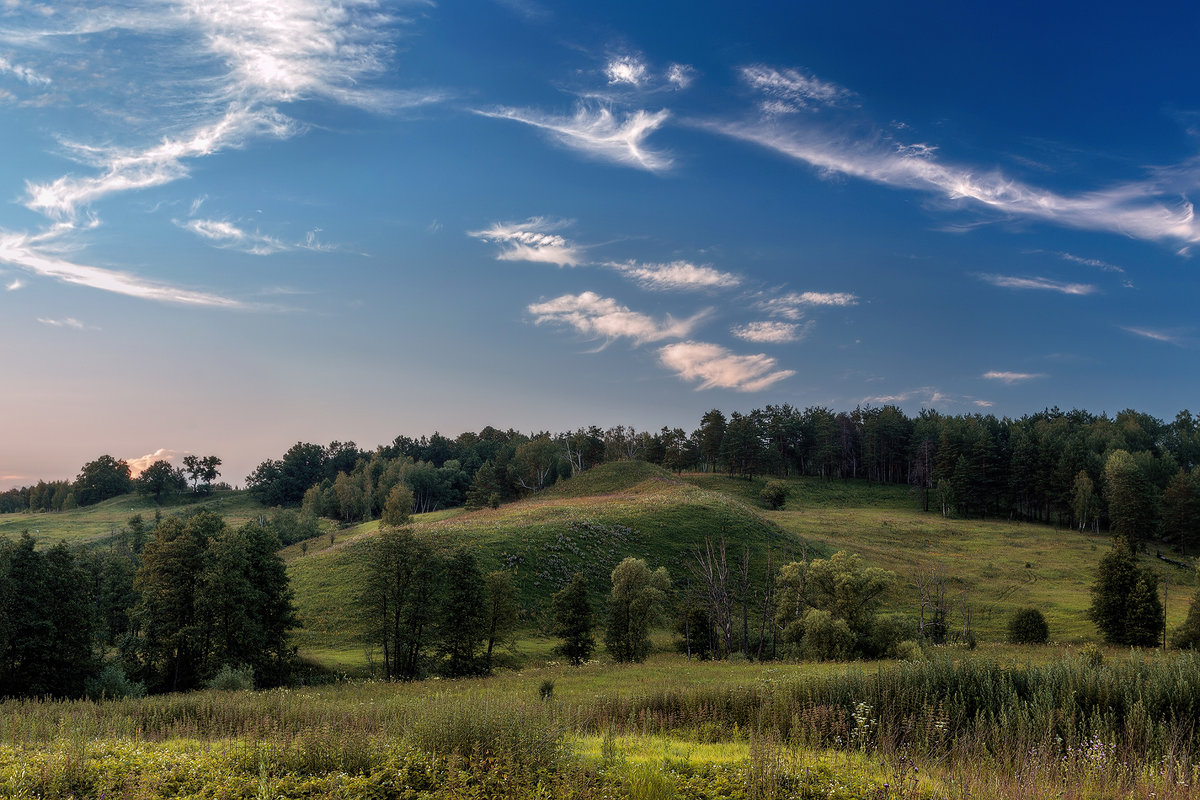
(232, 225)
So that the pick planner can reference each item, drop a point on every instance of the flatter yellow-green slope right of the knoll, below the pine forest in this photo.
(997, 566)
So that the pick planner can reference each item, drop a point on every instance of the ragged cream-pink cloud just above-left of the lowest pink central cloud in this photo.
(598, 317)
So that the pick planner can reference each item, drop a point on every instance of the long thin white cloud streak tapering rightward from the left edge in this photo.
(15, 250)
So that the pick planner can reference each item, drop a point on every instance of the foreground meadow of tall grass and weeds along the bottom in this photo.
(962, 725)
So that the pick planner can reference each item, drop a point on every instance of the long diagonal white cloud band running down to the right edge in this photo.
(1151, 209)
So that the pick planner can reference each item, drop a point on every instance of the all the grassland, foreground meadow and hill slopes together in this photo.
(1067, 720)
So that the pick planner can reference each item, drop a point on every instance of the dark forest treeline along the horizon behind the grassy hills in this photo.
(1052, 467)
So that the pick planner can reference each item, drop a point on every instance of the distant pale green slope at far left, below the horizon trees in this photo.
(107, 519)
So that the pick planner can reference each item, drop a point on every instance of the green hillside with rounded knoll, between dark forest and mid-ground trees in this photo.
(595, 520)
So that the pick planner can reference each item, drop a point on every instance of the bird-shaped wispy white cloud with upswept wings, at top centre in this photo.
(599, 134)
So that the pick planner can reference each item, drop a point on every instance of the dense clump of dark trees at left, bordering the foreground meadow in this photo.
(167, 607)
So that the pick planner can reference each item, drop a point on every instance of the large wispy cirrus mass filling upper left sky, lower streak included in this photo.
(224, 73)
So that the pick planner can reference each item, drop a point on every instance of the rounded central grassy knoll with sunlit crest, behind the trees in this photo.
(586, 525)
